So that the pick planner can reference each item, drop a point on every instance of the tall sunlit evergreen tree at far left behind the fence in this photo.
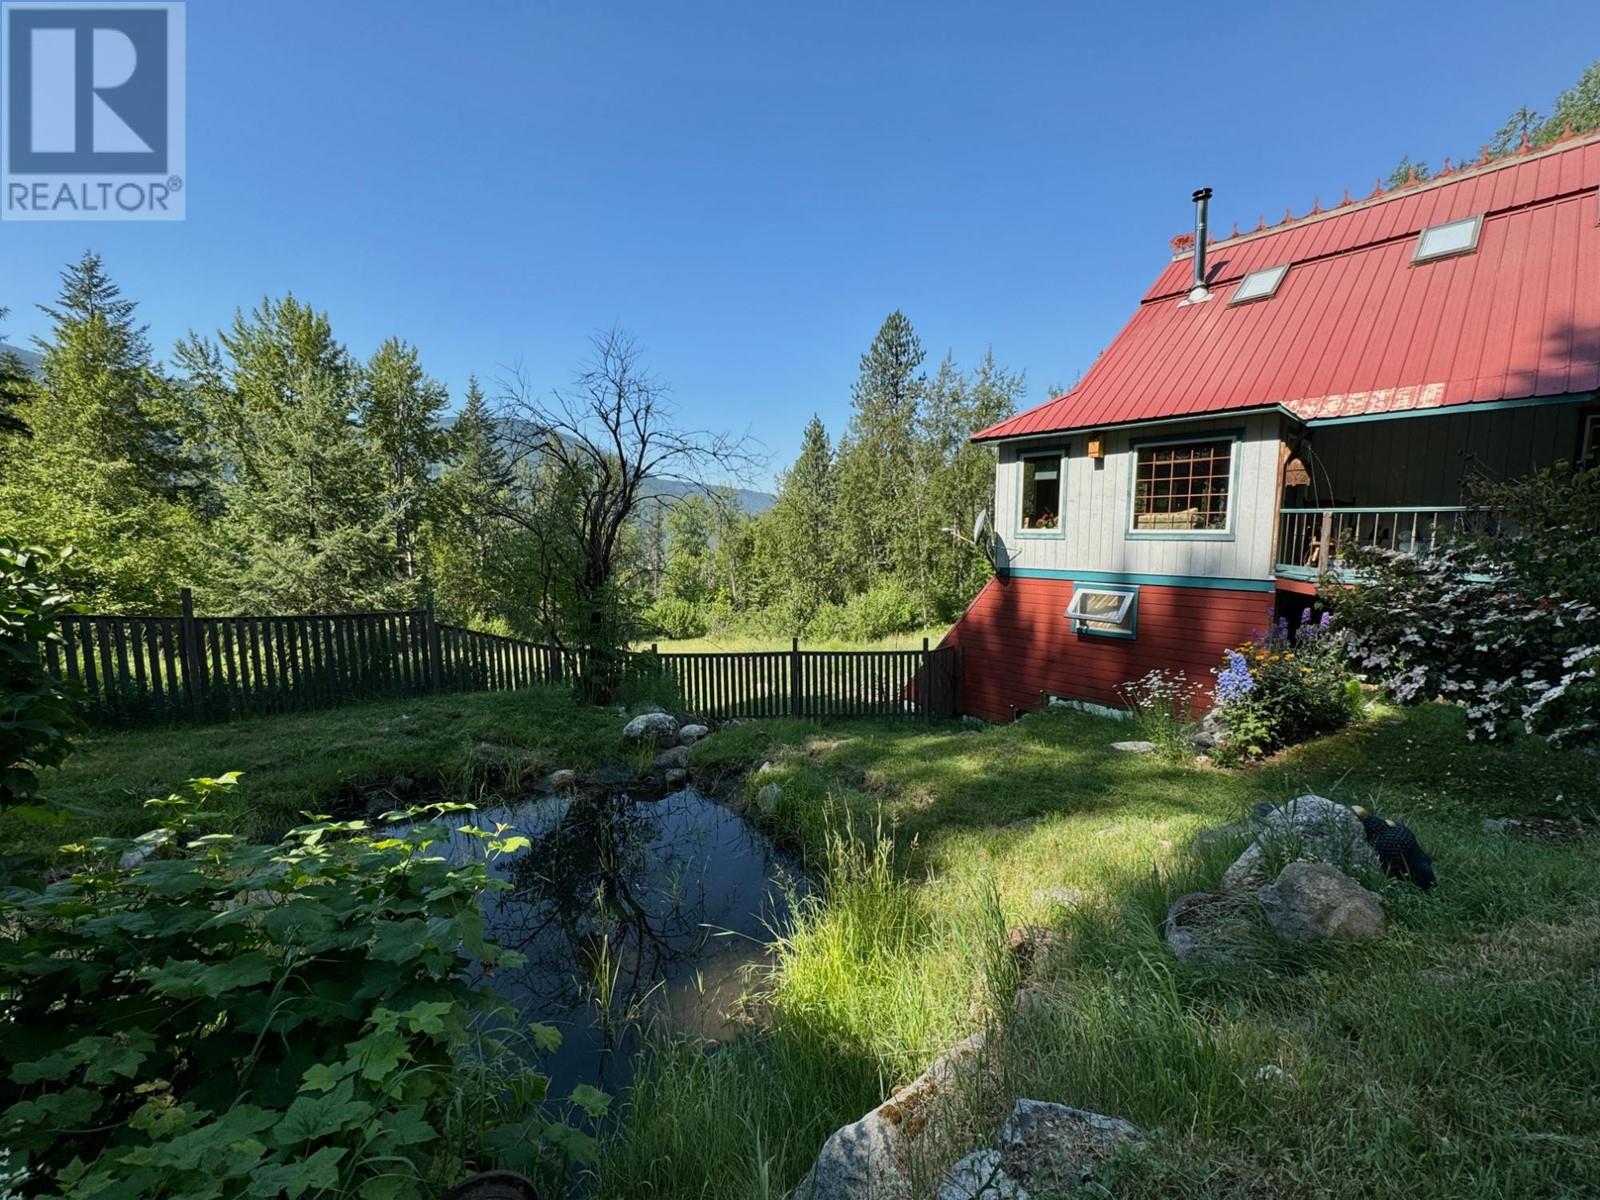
(105, 468)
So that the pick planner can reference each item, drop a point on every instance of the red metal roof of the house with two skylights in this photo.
(1356, 329)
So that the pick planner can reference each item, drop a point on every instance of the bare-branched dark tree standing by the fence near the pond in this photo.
(590, 460)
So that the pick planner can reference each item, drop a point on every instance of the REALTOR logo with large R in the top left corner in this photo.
(92, 113)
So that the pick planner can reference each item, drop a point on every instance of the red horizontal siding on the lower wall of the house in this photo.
(1018, 644)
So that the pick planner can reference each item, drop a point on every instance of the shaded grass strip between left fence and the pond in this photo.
(311, 761)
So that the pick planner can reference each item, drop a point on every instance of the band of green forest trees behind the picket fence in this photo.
(273, 471)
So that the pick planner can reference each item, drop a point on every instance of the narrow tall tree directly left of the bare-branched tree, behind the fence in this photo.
(401, 410)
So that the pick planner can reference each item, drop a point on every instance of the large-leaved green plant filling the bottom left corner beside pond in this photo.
(266, 1020)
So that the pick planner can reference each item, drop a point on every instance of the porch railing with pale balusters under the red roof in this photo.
(1314, 542)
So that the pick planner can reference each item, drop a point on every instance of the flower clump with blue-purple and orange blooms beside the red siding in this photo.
(1286, 689)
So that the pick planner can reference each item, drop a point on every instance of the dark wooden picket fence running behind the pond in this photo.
(194, 668)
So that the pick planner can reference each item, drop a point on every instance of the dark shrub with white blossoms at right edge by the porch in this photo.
(1505, 622)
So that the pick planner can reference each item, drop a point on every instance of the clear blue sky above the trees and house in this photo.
(751, 188)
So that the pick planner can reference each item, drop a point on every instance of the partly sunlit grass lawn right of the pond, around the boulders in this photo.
(1458, 1057)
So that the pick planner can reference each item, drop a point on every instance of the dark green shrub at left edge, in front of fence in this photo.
(39, 714)
